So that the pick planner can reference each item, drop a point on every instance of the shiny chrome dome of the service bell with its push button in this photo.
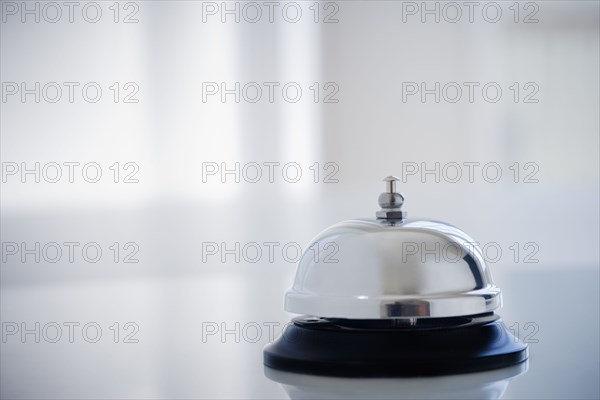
(392, 267)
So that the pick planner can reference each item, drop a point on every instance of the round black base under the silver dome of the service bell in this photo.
(327, 347)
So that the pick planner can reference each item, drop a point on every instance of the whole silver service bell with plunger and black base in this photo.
(392, 296)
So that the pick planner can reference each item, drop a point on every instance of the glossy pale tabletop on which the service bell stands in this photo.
(202, 337)
